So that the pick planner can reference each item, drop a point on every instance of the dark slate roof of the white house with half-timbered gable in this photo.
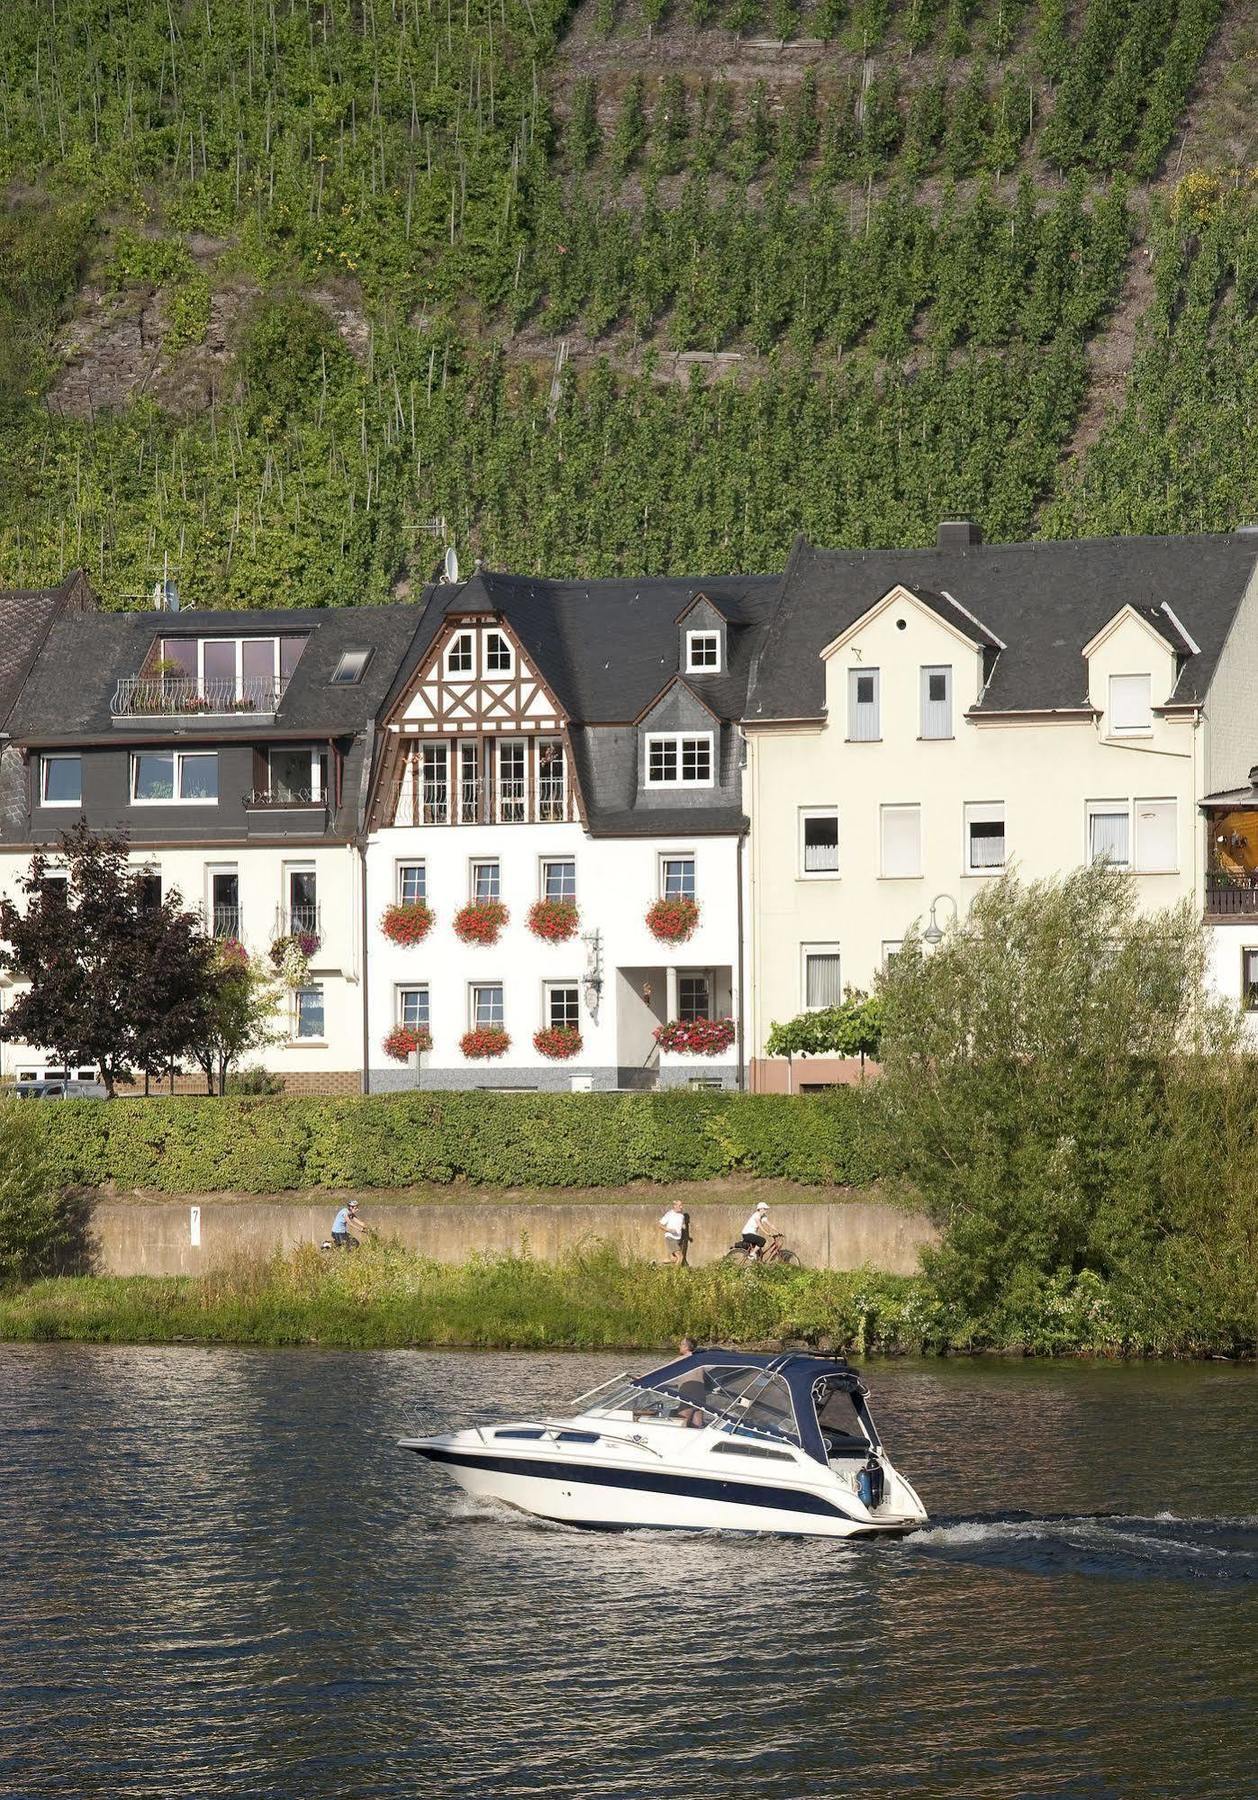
(607, 649)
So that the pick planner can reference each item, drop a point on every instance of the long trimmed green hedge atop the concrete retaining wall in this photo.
(262, 1146)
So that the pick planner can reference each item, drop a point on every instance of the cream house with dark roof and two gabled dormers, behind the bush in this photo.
(922, 721)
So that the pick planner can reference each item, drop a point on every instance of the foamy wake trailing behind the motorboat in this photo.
(1122, 1547)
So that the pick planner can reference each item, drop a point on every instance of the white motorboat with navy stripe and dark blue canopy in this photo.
(715, 1441)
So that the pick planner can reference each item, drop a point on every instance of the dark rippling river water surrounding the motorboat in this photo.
(219, 1578)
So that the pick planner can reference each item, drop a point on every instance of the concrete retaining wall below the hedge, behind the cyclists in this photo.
(157, 1236)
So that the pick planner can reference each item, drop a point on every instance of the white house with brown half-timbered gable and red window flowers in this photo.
(564, 742)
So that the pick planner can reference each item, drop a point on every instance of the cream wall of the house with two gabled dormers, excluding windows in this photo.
(1043, 769)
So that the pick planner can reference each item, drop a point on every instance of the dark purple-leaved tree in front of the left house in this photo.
(112, 980)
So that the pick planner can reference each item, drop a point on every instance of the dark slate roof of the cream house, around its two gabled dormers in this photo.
(1043, 600)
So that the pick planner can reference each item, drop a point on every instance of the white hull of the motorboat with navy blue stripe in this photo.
(642, 1498)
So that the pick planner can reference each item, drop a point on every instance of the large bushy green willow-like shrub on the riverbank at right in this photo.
(1045, 1075)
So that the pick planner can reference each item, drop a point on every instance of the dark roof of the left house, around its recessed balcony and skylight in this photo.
(84, 658)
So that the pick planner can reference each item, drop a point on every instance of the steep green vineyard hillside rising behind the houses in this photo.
(298, 292)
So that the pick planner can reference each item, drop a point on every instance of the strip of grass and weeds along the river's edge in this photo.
(388, 1299)
